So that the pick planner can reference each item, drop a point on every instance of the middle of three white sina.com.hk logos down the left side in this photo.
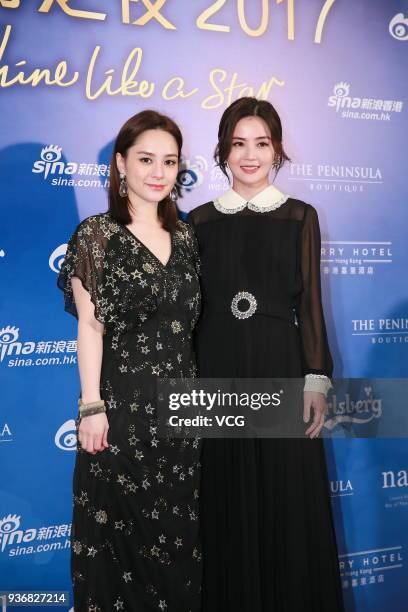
(15, 353)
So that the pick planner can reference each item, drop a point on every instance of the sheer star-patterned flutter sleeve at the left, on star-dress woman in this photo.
(84, 259)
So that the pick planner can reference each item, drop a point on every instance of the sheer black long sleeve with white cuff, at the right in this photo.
(317, 362)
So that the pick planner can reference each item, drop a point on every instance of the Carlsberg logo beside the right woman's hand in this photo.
(360, 411)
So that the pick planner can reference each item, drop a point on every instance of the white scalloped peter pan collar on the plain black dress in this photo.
(269, 199)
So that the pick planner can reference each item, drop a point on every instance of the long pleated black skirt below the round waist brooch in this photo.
(266, 523)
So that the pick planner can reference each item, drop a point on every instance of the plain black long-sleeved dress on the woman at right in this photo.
(267, 533)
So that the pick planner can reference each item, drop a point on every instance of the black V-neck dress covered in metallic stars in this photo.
(135, 519)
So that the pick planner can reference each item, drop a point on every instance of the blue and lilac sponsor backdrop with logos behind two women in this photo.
(71, 72)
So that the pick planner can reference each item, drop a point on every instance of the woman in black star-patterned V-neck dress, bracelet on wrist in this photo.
(130, 275)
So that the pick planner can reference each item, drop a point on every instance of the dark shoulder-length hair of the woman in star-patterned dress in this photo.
(128, 133)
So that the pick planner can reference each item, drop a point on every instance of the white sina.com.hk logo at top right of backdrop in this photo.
(351, 107)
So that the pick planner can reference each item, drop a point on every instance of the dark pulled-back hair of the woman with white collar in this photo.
(249, 107)
